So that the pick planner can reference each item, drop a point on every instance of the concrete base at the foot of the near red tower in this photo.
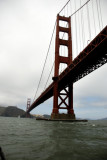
(62, 116)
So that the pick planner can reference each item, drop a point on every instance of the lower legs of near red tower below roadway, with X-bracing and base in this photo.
(64, 98)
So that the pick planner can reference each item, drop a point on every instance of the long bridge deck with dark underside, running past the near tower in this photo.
(91, 58)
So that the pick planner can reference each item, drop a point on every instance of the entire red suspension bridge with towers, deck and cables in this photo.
(80, 48)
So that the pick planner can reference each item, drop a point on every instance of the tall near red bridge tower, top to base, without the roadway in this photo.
(62, 97)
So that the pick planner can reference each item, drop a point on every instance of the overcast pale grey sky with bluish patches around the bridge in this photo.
(25, 31)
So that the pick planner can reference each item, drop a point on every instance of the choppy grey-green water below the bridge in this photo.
(29, 139)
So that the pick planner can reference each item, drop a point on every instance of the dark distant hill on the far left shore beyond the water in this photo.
(12, 111)
